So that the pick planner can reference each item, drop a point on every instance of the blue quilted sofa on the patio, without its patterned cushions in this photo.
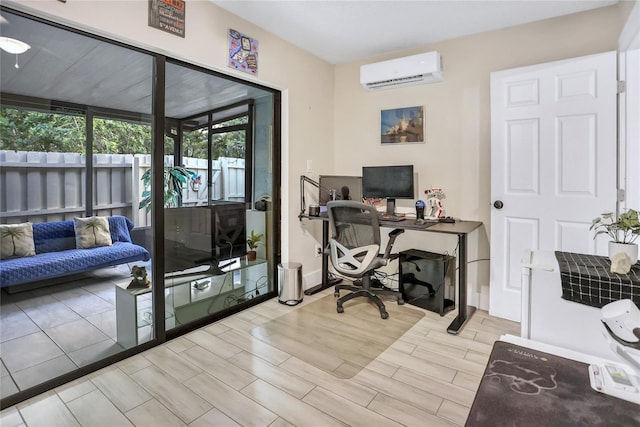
(57, 256)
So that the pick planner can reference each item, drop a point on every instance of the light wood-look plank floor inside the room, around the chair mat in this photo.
(221, 375)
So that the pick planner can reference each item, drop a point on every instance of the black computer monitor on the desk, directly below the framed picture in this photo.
(390, 182)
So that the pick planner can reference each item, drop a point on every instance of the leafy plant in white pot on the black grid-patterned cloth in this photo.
(623, 231)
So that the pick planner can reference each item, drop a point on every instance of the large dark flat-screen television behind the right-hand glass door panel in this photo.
(204, 235)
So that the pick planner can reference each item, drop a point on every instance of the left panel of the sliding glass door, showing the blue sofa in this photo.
(75, 120)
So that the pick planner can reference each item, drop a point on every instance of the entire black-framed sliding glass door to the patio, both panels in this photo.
(76, 146)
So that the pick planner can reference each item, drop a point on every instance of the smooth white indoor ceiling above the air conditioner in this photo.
(344, 31)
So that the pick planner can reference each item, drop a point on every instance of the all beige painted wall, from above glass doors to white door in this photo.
(329, 119)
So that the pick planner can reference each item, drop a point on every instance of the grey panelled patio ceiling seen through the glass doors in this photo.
(65, 66)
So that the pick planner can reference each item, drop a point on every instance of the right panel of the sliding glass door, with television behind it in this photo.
(208, 271)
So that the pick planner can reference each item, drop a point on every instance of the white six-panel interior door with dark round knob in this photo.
(553, 164)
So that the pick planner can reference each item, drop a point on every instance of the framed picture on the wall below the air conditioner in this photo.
(402, 126)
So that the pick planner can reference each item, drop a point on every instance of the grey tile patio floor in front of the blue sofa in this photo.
(48, 331)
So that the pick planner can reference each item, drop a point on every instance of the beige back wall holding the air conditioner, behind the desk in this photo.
(456, 155)
